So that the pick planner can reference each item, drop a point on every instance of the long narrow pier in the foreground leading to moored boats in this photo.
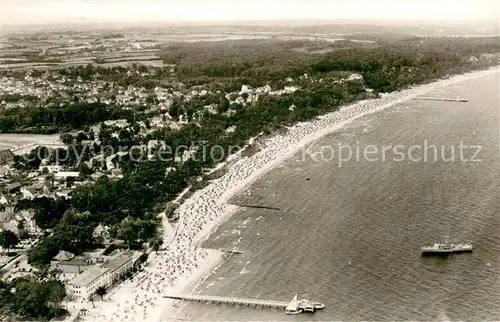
(229, 301)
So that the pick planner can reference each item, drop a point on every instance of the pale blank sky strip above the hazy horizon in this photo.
(74, 11)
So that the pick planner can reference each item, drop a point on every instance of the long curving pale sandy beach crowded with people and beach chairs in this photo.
(182, 264)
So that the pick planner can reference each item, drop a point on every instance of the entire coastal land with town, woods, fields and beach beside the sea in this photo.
(106, 188)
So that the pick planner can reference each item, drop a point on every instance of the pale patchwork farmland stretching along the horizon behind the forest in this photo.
(143, 45)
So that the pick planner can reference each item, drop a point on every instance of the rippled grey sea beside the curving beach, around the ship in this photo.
(351, 236)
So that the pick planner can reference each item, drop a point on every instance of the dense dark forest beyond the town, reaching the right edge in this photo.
(394, 61)
